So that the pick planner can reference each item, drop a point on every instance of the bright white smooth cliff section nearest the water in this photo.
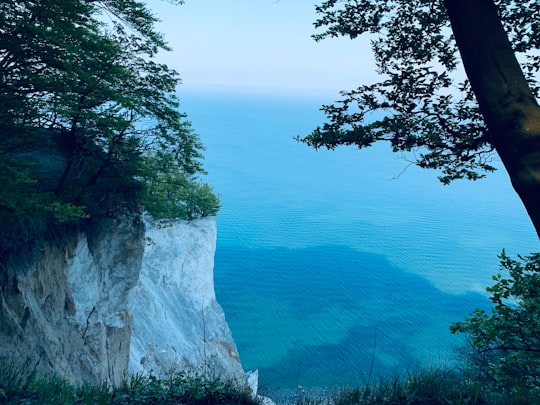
(178, 323)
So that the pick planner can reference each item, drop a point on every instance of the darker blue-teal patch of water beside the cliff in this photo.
(320, 316)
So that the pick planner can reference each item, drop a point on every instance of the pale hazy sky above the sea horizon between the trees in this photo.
(259, 44)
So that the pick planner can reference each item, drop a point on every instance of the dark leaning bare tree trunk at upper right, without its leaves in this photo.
(511, 112)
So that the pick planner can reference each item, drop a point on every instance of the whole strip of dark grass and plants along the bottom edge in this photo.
(435, 386)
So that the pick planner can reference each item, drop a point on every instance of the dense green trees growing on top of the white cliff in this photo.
(86, 113)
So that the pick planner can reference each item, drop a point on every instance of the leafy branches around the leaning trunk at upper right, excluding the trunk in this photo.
(423, 102)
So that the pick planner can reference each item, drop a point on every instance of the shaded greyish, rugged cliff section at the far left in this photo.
(64, 302)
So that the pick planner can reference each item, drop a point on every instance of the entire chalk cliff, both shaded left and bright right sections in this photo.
(79, 304)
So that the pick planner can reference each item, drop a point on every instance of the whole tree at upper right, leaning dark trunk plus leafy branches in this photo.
(421, 104)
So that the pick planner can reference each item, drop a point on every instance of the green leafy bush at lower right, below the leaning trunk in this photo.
(507, 341)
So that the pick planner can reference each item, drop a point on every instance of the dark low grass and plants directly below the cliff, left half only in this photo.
(176, 388)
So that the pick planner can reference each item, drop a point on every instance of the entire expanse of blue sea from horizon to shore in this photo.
(334, 265)
